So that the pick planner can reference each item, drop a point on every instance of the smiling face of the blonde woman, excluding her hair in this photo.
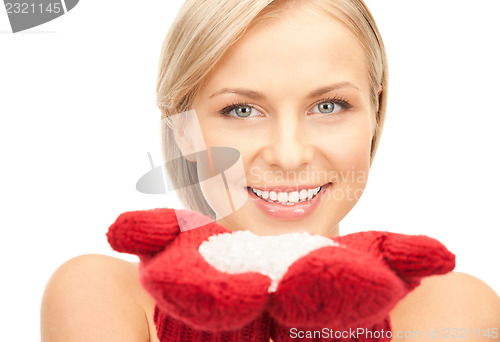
(293, 97)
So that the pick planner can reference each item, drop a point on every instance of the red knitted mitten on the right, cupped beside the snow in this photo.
(354, 285)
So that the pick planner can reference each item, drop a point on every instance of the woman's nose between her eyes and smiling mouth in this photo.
(288, 145)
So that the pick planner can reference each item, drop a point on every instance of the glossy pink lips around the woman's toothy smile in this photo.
(288, 213)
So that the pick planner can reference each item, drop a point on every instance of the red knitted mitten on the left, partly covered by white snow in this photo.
(194, 301)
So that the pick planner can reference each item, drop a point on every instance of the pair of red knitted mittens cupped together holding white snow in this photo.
(351, 285)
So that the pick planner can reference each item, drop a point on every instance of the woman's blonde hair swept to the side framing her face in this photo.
(199, 37)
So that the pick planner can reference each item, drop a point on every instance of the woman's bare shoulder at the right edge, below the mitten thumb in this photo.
(456, 305)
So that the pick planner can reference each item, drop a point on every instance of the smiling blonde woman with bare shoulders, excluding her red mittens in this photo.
(299, 89)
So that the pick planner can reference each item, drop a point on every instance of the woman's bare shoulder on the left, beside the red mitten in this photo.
(96, 298)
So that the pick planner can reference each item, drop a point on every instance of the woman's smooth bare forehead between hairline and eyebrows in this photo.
(295, 47)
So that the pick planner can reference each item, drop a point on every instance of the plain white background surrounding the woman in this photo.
(78, 116)
